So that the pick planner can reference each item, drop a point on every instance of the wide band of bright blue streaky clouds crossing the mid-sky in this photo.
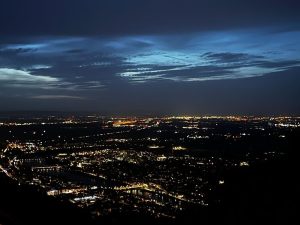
(90, 63)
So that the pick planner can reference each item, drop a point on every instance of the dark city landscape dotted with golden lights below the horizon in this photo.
(147, 170)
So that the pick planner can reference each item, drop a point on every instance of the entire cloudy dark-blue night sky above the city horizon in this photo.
(151, 56)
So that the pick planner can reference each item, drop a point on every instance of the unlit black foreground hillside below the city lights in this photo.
(262, 194)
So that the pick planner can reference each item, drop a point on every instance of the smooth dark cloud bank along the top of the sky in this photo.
(123, 17)
